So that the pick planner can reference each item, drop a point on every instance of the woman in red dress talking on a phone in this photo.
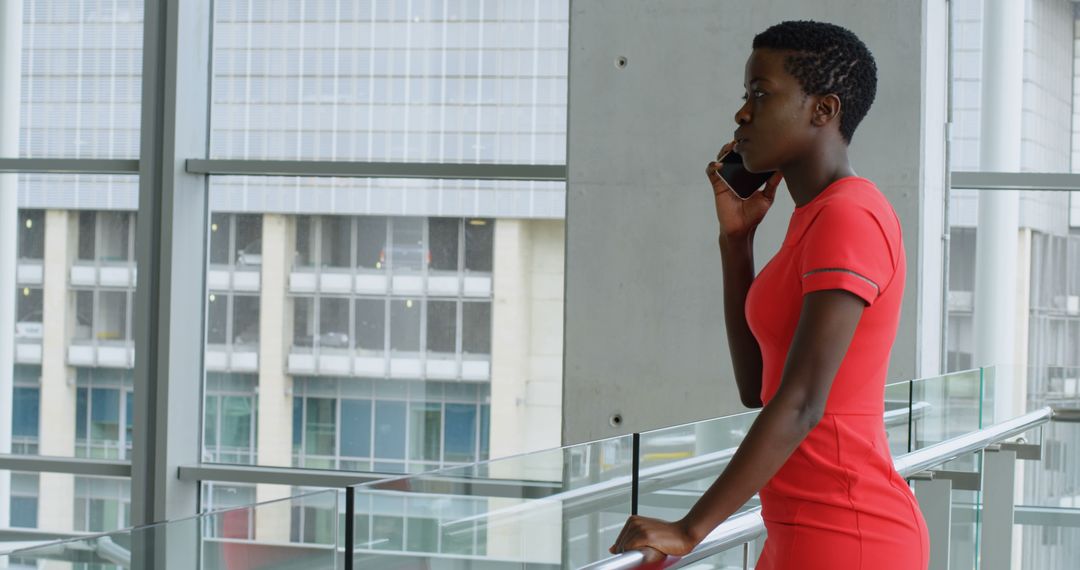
(811, 335)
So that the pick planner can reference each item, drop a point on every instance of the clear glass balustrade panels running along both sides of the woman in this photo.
(563, 508)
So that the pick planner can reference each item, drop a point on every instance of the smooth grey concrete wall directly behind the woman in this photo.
(644, 310)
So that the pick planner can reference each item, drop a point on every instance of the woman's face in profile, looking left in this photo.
(775, 120)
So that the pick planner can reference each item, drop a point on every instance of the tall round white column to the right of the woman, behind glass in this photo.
(995, 317)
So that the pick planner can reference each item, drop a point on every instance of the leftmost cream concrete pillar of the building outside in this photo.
(57, 501)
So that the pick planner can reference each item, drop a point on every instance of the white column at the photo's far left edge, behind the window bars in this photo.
(11, 75)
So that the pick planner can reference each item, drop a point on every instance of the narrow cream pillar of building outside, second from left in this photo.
(276, 388)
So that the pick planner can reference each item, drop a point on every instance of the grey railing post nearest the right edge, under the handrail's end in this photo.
(1000, 478)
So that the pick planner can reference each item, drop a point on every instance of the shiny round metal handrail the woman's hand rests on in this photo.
(749, 526)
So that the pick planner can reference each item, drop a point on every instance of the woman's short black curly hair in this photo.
(828, 59)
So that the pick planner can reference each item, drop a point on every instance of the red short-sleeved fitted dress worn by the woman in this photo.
(839, 504)
